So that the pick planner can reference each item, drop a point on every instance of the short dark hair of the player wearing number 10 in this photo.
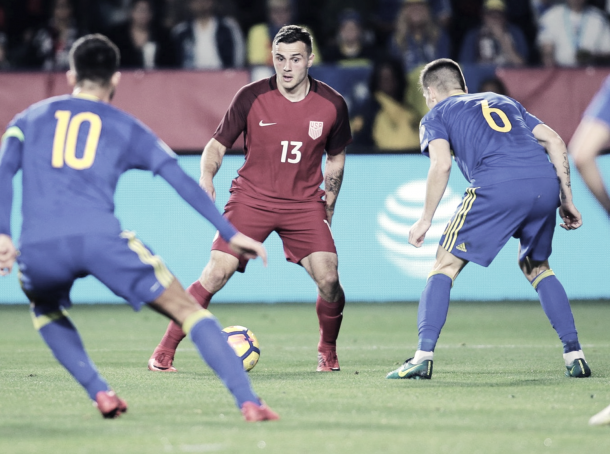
(95, 58)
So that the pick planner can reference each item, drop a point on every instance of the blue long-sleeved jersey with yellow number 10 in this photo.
(72, 151)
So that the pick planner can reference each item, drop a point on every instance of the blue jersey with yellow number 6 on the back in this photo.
(491, 138)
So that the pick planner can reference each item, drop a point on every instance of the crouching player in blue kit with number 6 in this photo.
(504, 152)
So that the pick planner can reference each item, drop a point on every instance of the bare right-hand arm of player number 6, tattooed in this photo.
(558, 154)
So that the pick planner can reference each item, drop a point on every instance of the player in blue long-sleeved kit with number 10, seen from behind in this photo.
(72, 150)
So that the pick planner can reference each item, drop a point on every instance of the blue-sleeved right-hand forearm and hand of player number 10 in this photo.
(188, 189)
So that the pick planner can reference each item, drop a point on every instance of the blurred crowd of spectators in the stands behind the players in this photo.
(393, 37)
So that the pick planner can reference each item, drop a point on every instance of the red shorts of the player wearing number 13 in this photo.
(302, 227)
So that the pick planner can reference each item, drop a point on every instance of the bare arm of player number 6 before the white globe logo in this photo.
(438, 177)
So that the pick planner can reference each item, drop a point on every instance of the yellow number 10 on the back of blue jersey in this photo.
(66, 135)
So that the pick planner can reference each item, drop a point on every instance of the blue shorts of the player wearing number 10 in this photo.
(123, 263)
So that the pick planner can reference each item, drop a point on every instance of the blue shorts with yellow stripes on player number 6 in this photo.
(488, 216)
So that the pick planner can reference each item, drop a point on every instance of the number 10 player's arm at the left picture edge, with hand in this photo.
(10, 163)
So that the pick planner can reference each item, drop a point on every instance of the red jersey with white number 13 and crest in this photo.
(284, 141)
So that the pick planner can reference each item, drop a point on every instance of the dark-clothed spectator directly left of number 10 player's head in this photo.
(49, 47)
